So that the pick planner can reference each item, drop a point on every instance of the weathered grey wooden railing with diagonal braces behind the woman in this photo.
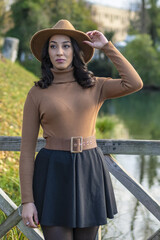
(136, 147)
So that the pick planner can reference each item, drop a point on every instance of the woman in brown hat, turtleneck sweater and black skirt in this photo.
(68, 187)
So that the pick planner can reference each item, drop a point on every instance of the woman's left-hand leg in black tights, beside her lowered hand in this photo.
(57, 233)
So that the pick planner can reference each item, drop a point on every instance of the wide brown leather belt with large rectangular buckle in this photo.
(73, 144)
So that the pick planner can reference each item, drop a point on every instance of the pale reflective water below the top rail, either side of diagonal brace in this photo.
(133, 221)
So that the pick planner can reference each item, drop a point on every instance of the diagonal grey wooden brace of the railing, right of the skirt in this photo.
(133, 186)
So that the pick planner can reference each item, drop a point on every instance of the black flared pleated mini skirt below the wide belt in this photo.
(73, 189)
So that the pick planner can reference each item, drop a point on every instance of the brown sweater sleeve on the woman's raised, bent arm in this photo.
(129, 82)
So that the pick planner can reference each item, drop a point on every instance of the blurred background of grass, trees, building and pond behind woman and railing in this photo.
(134, 28)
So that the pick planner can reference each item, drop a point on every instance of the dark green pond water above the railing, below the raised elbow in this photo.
(139, 111)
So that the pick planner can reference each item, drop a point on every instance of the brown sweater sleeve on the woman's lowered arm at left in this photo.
(30, 130)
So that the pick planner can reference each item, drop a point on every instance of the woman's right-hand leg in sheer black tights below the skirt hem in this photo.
(88, 233)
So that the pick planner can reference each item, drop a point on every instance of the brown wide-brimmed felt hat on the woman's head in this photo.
(63, 27)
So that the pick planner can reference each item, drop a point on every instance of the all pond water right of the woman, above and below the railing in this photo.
(140, 113)
